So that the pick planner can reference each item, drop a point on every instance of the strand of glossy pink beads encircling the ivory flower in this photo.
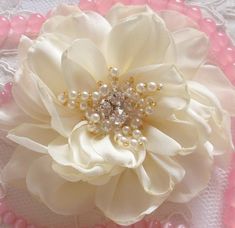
(222, 52)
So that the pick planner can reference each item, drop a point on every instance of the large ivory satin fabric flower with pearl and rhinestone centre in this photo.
(119, 112)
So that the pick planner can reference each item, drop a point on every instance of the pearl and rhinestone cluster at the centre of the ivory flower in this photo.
(117, 108)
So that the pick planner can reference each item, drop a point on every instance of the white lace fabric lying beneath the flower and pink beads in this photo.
(206, 209)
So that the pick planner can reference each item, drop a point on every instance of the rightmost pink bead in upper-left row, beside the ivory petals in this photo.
(35, 22)
